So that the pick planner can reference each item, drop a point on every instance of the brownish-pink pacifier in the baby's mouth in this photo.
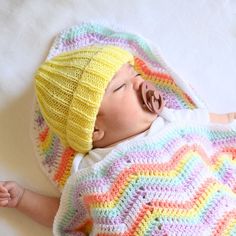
(152, 98)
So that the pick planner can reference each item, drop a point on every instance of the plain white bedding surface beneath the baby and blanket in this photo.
(197, 38)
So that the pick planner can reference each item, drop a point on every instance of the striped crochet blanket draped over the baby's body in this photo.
(182, 181)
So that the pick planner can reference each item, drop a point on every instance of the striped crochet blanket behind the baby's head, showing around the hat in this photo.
(55, 159)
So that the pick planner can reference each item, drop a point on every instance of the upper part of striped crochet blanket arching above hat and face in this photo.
(150, 64)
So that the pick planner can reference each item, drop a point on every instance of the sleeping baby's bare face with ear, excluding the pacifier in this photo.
(122, 114)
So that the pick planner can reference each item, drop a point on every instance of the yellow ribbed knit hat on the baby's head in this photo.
(70, 88)
